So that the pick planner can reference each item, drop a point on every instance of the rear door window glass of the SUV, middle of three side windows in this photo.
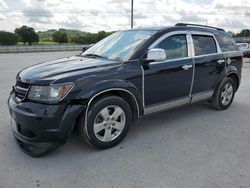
(204, 45)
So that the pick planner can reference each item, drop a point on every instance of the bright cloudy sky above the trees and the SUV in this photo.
(110, 15)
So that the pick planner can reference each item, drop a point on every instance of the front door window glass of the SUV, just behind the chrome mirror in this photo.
(175, 46)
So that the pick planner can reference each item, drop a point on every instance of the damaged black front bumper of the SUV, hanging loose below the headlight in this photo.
(35, 123)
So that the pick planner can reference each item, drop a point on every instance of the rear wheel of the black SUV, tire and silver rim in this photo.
(224, 95)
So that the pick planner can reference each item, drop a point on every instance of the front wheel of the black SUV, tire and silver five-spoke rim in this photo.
(108, 121)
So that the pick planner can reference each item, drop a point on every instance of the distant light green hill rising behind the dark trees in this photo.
(47, 35)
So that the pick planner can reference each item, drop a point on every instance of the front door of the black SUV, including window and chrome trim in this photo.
(168, 83)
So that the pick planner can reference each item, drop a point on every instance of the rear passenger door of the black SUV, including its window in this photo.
(209, 64)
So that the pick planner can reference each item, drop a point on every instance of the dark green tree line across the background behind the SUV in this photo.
(28, 35)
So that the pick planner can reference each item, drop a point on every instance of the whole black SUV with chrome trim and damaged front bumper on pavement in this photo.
(124, 77)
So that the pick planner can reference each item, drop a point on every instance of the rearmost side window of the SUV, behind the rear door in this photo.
(226, 42)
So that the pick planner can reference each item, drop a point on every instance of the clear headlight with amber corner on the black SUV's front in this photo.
(52, 93)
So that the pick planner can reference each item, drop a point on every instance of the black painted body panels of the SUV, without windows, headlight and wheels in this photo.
(34, 122)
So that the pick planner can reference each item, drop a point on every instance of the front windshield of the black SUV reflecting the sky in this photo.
(120, 45)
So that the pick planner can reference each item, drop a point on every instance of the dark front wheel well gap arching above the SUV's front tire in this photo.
(126, 96)
